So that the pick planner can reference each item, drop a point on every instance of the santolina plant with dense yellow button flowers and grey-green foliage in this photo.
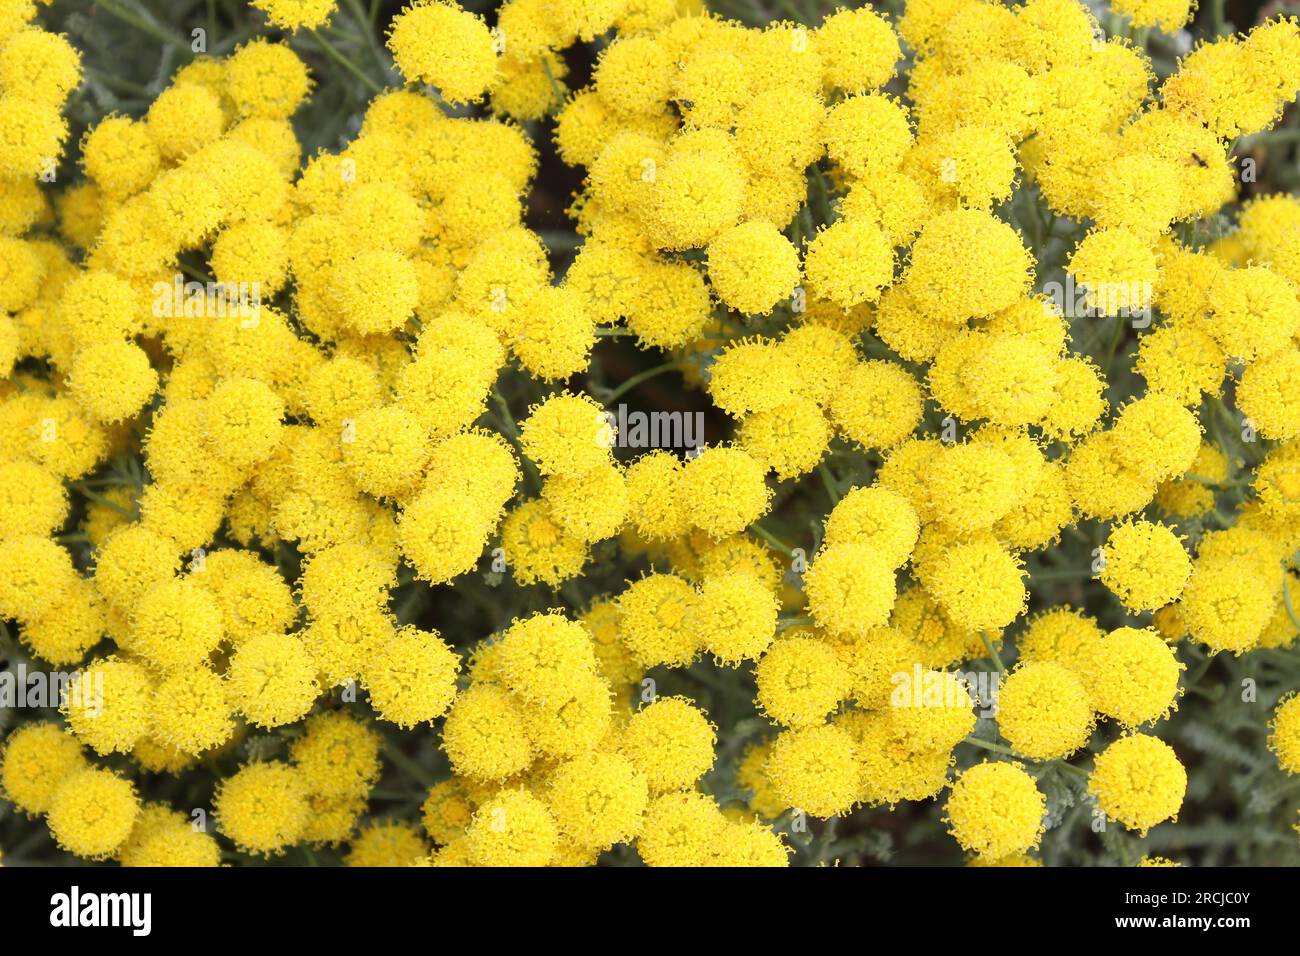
(864, 438)
